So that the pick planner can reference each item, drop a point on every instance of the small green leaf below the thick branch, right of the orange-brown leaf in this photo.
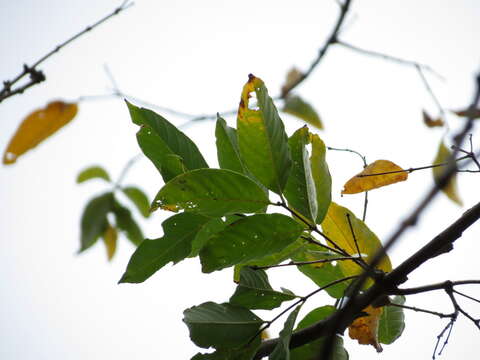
(392, 321)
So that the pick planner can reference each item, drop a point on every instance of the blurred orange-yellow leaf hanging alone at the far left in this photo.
(38, 126)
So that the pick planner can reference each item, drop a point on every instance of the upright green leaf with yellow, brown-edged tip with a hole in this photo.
(261, 136)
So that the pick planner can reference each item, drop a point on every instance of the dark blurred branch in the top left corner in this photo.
(37, 76)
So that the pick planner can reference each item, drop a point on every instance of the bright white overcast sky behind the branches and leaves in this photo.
(194, 56)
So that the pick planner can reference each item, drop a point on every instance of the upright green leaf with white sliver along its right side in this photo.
(300, 189)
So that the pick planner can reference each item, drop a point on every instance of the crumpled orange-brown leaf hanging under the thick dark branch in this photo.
(365, 329)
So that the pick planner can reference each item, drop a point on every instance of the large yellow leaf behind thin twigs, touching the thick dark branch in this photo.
(337, 227)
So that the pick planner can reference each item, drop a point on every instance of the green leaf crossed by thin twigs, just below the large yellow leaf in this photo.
(322, 273)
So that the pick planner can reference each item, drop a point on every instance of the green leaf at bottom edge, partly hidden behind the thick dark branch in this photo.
(312, 350)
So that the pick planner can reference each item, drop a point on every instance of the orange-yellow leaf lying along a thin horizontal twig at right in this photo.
(389, 173)
